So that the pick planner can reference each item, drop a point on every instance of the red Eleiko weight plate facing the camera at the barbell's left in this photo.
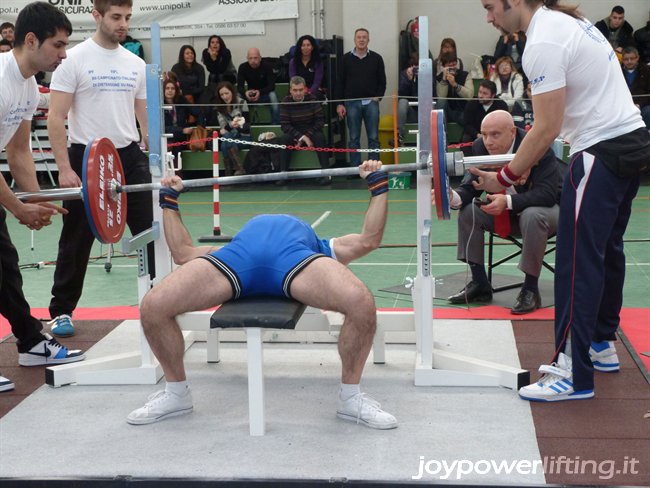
(106, 212)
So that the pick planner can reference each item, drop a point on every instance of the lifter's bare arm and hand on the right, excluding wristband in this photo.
(353, 246)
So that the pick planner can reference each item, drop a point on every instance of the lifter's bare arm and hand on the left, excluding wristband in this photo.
(178, 238)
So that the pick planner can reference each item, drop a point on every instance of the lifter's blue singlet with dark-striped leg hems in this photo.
(267, 254)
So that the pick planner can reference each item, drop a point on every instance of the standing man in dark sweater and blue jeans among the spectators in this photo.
(361, 84)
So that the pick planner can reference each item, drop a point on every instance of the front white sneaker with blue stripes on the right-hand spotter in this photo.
(556, 384)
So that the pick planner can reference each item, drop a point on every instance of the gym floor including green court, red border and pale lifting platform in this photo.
(304, 440)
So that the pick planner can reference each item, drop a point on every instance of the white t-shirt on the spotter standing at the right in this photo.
(562, 51)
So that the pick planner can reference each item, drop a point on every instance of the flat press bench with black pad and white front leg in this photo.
(254, 314)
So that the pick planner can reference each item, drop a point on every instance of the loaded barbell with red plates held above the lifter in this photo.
(103, 189)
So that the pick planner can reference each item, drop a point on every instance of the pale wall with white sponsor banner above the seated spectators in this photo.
(274, 25)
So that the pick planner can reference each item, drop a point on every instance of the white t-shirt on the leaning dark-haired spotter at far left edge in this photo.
(18, 97)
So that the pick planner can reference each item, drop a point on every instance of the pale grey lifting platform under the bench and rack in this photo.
(81, 430)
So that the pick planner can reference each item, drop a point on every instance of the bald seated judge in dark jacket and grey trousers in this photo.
(529, 209)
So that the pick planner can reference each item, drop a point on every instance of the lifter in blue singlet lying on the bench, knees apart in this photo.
(272, 255)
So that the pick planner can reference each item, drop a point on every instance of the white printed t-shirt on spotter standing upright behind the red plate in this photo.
(105, 83)
